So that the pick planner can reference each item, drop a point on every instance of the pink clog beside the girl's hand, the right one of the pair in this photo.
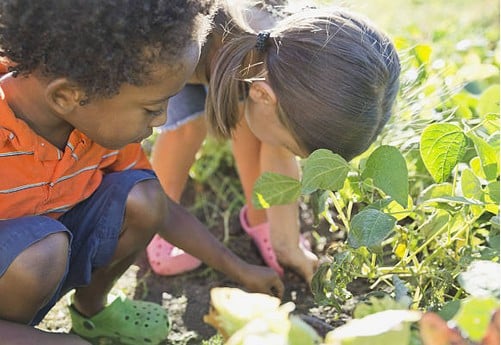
(260, 234)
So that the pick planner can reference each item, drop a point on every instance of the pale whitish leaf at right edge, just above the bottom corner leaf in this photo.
(481, 279)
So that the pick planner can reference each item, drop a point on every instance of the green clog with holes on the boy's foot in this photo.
(129, 322)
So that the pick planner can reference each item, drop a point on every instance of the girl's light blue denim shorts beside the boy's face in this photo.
(187, 105)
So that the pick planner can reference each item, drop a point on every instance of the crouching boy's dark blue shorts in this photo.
(93, 227)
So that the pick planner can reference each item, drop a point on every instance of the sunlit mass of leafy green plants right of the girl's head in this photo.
(418, 212)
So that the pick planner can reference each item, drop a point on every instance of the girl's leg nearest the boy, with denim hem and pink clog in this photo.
(172, 157)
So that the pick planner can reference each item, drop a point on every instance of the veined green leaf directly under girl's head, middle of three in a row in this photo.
(324, 170)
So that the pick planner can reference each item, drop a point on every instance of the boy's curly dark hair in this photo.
(99, 44)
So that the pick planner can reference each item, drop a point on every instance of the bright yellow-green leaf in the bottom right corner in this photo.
(474, 316)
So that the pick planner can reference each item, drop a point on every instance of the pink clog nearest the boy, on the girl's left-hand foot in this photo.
(167, 260)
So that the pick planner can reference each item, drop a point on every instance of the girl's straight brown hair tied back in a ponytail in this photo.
(335, 76)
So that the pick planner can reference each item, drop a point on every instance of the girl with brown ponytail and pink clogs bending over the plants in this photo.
(309, 79)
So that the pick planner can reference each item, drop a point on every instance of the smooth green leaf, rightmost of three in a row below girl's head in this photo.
(388, 170)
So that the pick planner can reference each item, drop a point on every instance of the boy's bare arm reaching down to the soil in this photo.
(184, 231)
